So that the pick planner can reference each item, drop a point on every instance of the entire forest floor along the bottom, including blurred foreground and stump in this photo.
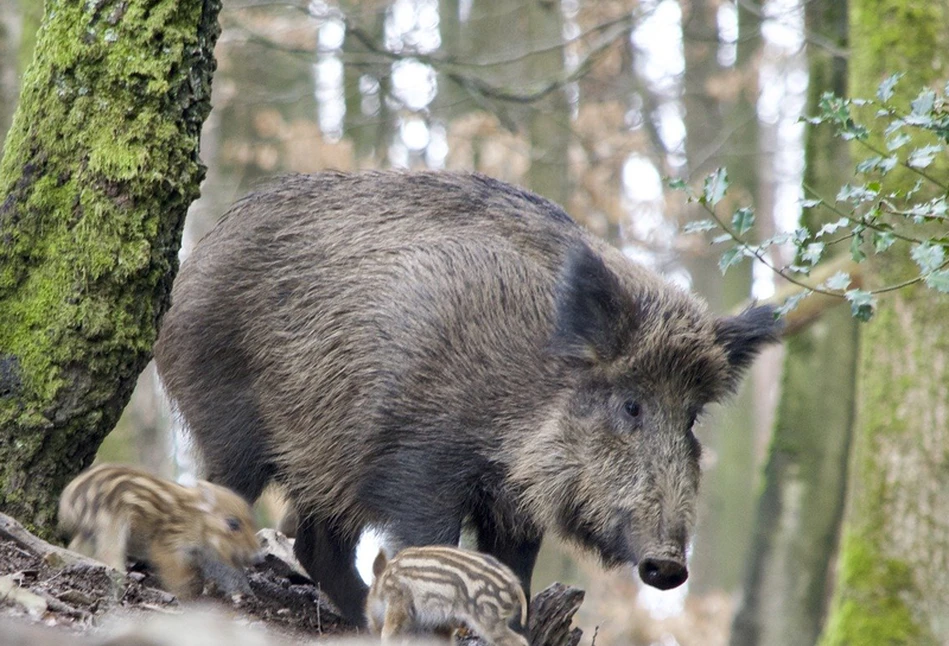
(50, 595)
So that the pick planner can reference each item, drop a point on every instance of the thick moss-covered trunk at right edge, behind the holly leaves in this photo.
(892, 586)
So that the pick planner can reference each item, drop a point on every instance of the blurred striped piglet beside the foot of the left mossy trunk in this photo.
(189, 534)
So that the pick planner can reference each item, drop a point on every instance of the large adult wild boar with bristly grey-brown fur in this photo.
(416, 350)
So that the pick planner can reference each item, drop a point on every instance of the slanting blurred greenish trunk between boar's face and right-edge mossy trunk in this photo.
(784, 597)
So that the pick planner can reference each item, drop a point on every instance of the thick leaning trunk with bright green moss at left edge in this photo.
(100, 165)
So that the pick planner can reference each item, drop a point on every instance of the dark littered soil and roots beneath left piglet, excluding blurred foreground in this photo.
(44, 584)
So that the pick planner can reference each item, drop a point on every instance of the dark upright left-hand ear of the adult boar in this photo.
(593, 311)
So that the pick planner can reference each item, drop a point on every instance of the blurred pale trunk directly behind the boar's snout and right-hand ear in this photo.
(722, 130)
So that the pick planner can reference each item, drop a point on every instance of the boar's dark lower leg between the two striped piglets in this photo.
(330, 559)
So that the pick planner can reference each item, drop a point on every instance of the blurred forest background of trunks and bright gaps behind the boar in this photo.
(590, 104)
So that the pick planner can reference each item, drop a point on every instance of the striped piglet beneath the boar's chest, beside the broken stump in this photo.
(438, 589)
